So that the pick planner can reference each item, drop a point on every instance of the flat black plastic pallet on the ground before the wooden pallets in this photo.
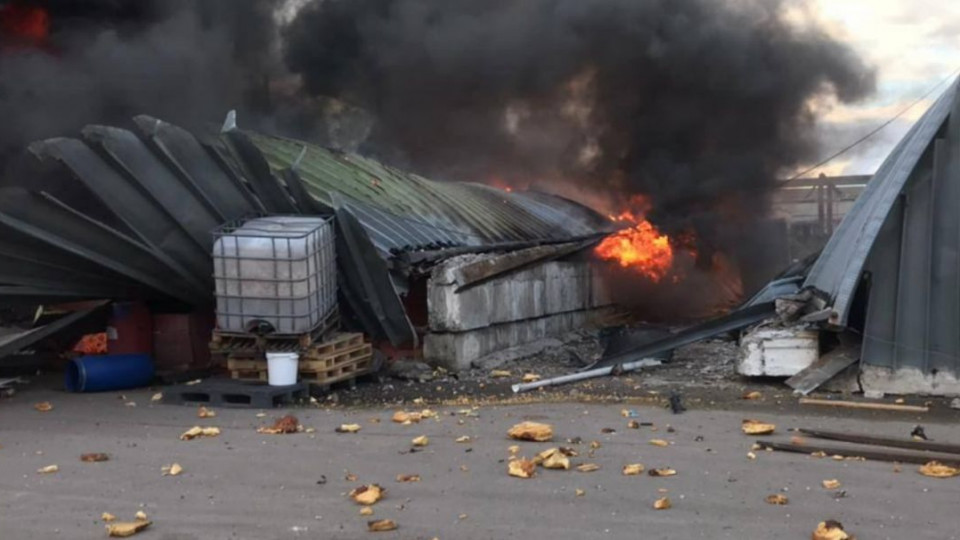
(231, 393)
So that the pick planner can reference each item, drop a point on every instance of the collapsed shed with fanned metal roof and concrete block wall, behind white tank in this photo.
(415, 257)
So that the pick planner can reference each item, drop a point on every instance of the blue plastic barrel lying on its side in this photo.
(108, 372)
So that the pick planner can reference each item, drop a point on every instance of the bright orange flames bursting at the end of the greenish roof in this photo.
(640, 247)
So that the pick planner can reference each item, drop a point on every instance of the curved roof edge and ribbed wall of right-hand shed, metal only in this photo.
(898, 249)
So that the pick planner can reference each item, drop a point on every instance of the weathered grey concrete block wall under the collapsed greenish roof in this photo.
(547, 299)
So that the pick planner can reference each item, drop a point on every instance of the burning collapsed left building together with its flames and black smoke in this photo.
(581, 151)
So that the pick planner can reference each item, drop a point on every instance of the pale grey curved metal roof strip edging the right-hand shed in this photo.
(837, 271)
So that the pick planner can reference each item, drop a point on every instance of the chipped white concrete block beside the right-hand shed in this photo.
(780, 352)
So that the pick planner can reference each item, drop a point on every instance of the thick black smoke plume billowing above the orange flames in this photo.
(697, 104)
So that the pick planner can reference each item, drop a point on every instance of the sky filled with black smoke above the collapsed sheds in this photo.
(693, 103)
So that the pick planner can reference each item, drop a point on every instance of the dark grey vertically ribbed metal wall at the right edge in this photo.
(913, 311)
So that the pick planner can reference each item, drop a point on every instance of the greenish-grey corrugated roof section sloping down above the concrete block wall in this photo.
(403, 211)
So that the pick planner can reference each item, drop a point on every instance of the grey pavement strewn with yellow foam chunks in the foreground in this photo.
(252, 486)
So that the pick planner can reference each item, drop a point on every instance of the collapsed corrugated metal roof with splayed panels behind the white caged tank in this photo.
(152, 198)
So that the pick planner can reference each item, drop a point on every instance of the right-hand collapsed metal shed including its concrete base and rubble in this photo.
(888, 280)
